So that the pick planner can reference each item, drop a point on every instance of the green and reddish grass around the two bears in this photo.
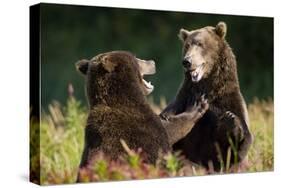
(62, 136)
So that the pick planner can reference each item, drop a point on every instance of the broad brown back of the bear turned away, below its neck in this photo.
(138, 128)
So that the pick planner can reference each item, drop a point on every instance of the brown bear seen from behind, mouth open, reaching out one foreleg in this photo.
(118, 109)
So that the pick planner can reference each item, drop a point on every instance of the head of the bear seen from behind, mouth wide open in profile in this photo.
(116, 73)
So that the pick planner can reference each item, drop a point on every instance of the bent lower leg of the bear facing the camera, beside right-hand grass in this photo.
(233, 132)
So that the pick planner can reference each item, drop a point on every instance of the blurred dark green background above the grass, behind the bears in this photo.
(70, 33)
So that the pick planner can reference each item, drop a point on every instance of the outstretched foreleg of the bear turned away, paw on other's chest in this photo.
(178, 126)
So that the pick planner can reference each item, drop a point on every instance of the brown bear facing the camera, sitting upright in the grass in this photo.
(210, 68)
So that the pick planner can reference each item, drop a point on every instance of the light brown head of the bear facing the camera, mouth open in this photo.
(201, 50)
